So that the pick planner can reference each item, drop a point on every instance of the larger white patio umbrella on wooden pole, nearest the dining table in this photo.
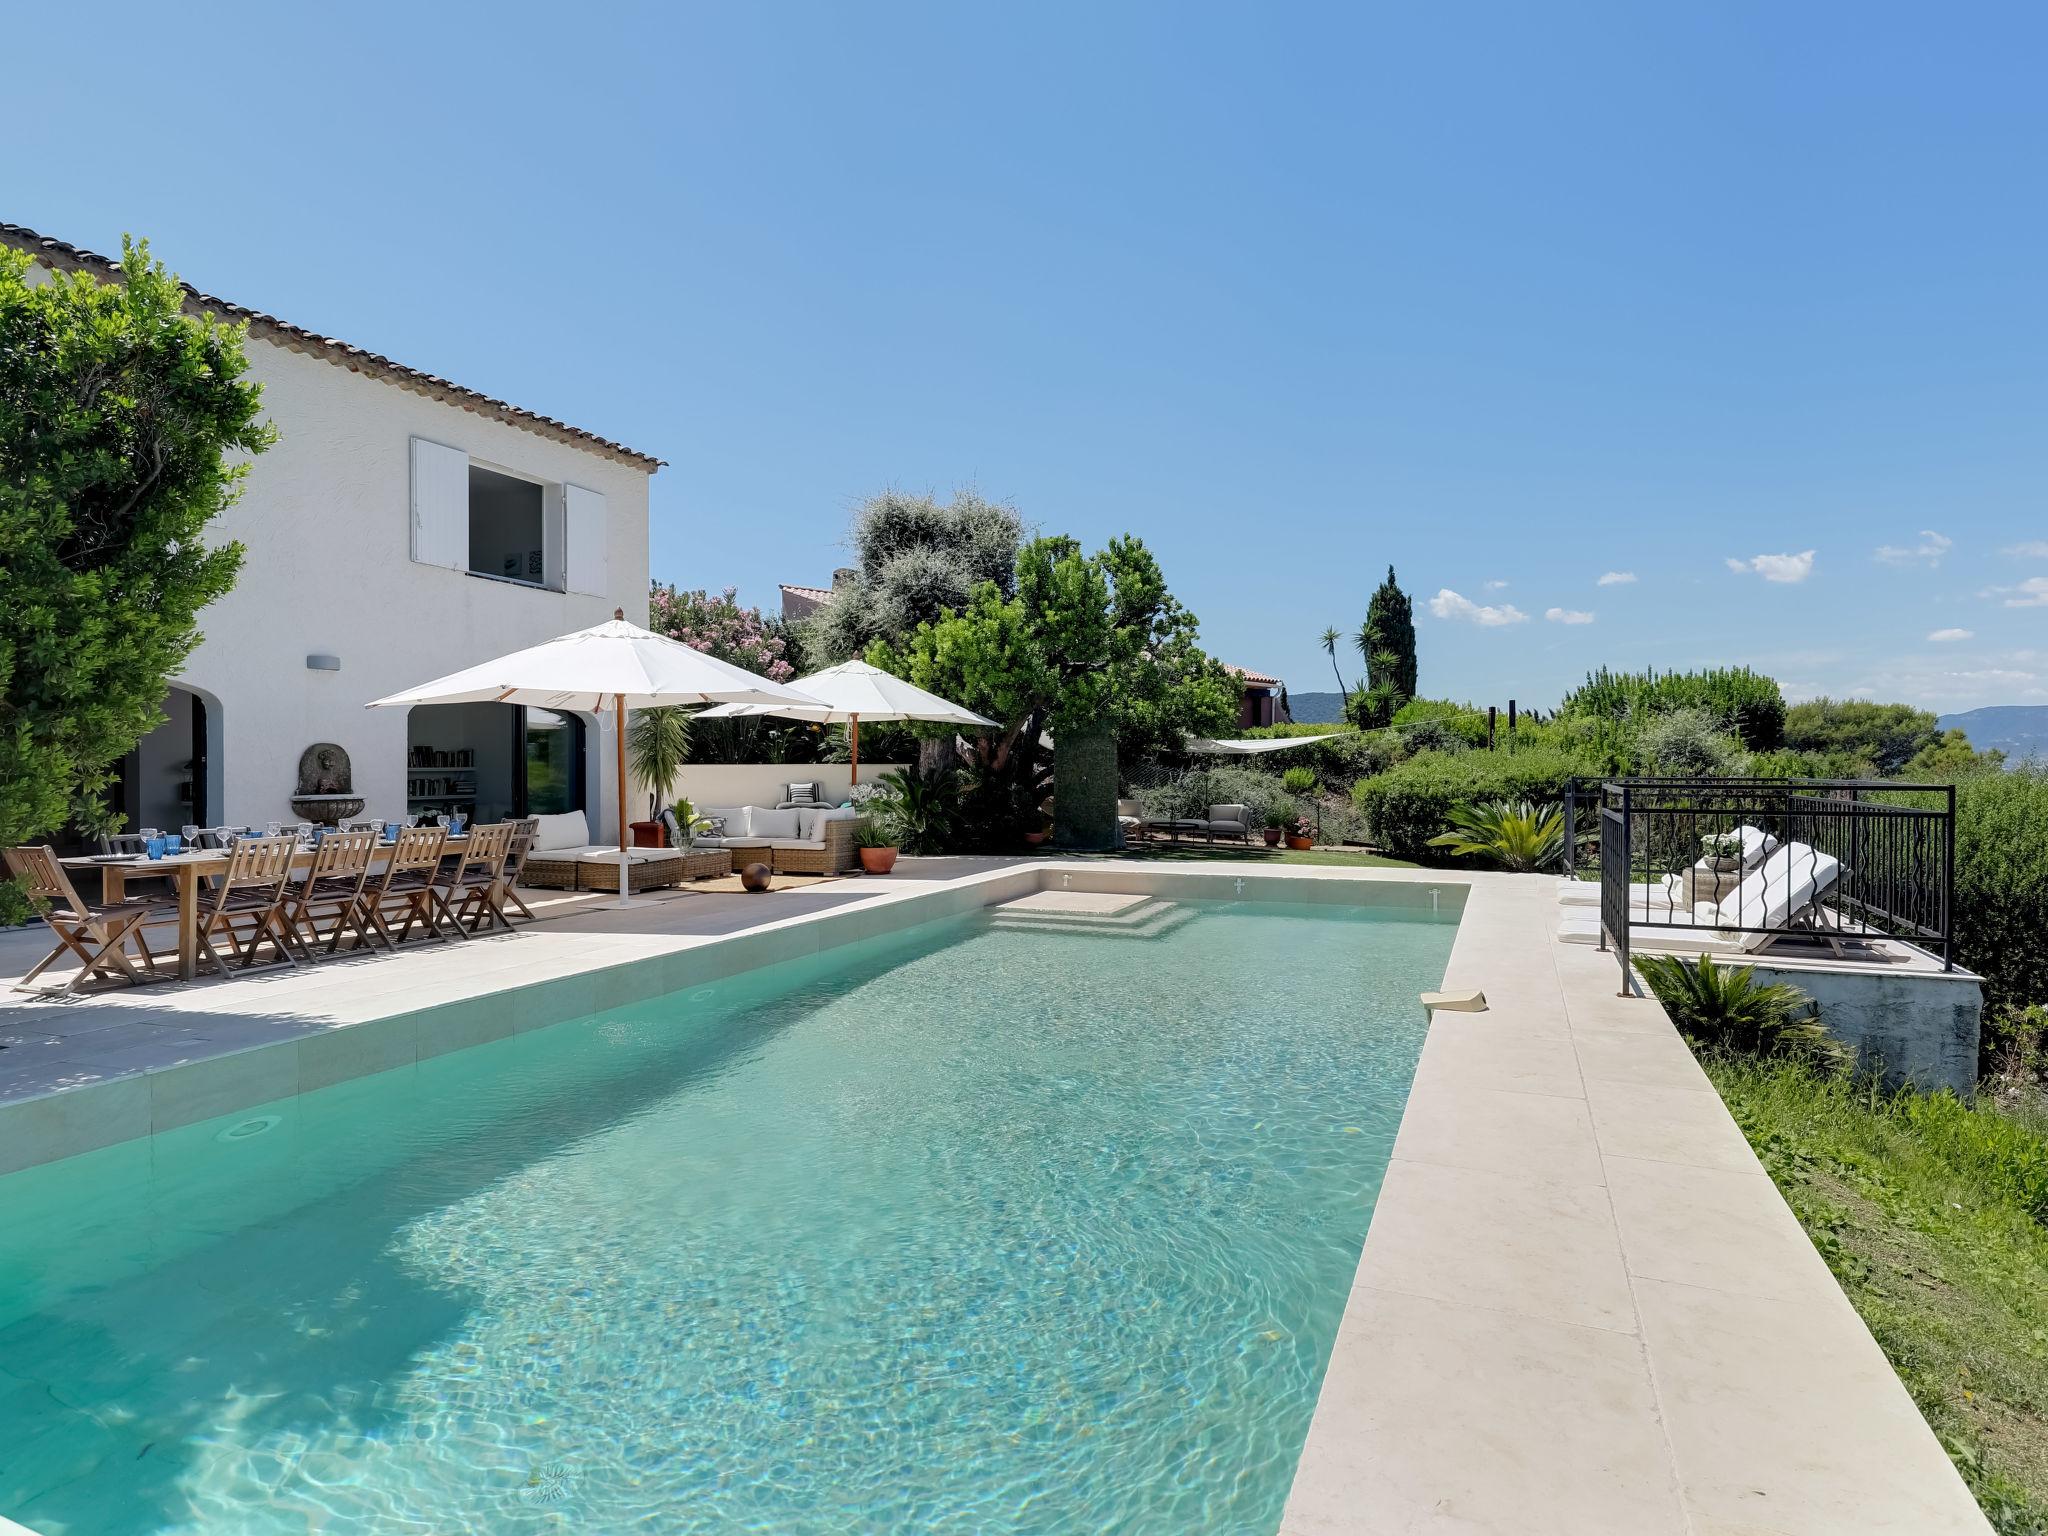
(605, 669)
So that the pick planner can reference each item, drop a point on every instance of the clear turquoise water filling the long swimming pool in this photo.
(976, 1230)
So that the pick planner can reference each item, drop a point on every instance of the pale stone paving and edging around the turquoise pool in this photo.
(1582, 1306)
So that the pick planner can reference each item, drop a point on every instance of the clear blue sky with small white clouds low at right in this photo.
(1508, 296)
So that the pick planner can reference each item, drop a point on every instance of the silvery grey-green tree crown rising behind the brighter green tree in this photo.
(914, 560)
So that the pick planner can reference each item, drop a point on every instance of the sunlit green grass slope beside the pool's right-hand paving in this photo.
(1930, 1213)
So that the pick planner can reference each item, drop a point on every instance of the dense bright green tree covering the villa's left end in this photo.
(118, 421)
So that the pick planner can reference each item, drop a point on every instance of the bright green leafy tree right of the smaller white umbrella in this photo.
(1091, 646)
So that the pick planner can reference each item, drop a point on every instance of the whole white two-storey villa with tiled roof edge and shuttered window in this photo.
(400, 529)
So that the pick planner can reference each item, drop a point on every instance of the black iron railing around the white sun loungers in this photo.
(1754, 861)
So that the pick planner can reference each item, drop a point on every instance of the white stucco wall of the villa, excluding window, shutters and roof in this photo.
(327, 519)
